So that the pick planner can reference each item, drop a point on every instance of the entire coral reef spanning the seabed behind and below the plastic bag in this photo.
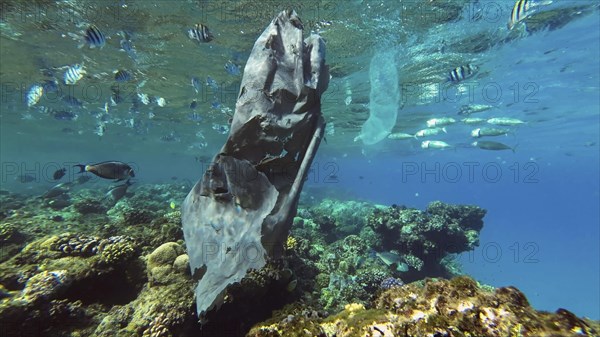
(125, 272)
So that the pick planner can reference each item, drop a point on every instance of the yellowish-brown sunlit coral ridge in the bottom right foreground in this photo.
(457, 307)
